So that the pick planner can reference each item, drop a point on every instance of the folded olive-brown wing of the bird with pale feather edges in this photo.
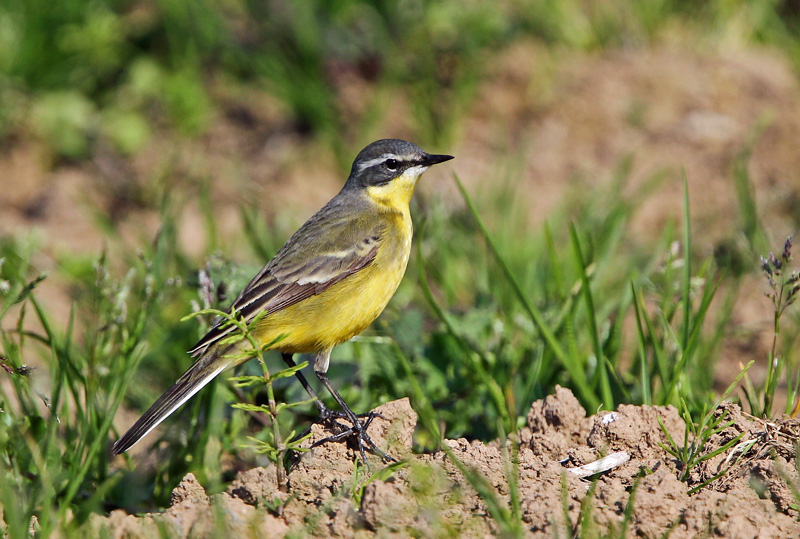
(307, 265)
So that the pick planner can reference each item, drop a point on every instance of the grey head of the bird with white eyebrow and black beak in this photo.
(385, 160)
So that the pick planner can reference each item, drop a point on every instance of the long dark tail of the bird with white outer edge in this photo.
(199, 374)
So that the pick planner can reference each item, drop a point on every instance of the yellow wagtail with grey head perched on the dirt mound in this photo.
(328, 283)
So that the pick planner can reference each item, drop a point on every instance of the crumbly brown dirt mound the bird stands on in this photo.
(428, 495)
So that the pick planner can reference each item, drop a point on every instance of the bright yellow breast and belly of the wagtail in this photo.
(346, 308)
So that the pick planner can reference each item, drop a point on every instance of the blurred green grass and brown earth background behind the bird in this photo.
(145, 141)
